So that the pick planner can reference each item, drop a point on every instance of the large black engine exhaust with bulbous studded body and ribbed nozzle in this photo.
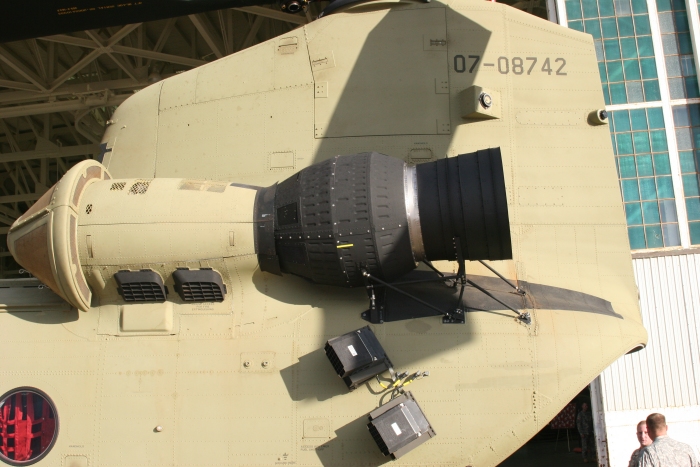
(372, 212)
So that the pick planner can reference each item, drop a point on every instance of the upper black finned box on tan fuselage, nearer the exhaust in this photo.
(357, 356)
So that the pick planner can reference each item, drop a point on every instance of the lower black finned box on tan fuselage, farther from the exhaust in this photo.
(399, 426)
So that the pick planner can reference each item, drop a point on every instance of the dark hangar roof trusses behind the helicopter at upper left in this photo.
(58, 93)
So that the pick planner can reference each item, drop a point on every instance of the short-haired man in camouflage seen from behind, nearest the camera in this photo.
(665, 451)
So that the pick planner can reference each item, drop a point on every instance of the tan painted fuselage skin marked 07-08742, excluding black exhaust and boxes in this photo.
(245, 382)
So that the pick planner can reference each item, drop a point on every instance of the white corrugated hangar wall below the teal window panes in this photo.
(665, 376)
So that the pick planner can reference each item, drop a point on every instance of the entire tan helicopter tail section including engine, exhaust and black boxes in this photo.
(274, 246)
